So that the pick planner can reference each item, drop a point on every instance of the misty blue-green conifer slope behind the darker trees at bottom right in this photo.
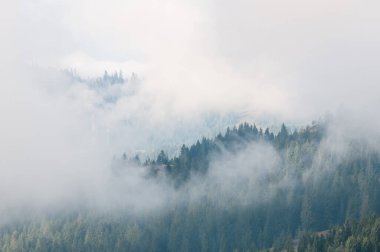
(312, 185)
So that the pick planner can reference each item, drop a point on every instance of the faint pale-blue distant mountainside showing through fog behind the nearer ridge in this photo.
(117, 91)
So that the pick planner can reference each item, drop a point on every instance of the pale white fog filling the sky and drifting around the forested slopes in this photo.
(267, 60)
